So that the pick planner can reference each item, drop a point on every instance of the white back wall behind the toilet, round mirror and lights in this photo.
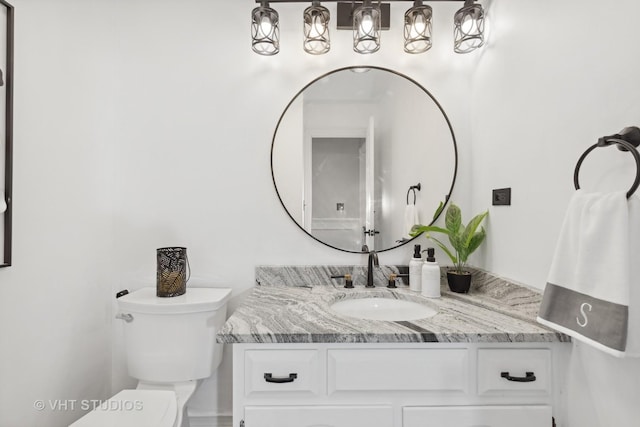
(197, 111)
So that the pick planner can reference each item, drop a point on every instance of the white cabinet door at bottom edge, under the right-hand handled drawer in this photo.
(477, 416)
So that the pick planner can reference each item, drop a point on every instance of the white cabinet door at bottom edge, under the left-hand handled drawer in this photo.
(318, 416)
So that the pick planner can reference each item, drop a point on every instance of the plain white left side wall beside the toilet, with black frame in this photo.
(55, 335)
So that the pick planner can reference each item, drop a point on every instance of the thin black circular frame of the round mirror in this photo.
(455, 150)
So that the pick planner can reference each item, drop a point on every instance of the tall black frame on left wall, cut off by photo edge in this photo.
(6, 134)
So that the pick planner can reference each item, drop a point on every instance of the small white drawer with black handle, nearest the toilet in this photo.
(269, 371)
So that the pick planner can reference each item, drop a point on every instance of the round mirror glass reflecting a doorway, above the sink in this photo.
(361, 154)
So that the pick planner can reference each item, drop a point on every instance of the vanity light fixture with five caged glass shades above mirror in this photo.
(366, 19)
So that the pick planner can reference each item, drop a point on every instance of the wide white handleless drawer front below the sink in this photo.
(398, 370)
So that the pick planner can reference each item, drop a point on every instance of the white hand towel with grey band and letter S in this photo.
(587, 293)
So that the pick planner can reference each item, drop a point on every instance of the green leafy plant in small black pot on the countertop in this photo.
(464, 241)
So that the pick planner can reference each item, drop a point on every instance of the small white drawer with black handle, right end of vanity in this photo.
(494, 364)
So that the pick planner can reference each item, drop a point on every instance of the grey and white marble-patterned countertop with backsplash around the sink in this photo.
(292, 305)
